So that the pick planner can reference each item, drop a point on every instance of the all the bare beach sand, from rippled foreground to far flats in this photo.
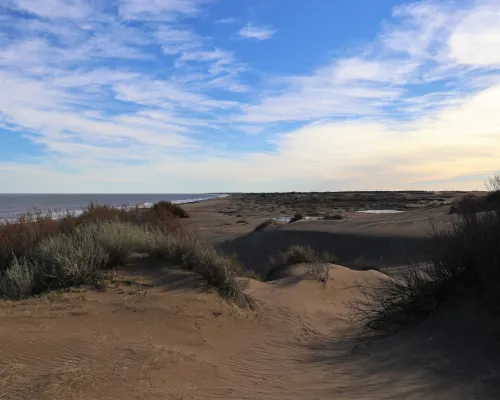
(157, 332)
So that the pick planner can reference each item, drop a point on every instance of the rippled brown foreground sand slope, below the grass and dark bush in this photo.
(159, 335)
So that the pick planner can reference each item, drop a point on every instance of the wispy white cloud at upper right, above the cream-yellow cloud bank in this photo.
(418, 47)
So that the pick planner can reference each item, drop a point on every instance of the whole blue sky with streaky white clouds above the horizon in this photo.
(192, 96)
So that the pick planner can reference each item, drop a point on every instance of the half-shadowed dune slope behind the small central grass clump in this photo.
(380, 241)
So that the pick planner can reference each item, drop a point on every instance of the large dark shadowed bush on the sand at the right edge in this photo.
(464, 261)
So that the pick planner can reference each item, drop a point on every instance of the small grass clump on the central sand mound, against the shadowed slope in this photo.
(297, 254)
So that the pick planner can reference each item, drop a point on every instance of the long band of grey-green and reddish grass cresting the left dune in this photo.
(79, 257)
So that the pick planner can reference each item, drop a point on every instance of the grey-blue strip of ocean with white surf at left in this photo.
(13, 205)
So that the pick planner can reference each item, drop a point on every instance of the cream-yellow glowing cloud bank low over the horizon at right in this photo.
(460, 140)
